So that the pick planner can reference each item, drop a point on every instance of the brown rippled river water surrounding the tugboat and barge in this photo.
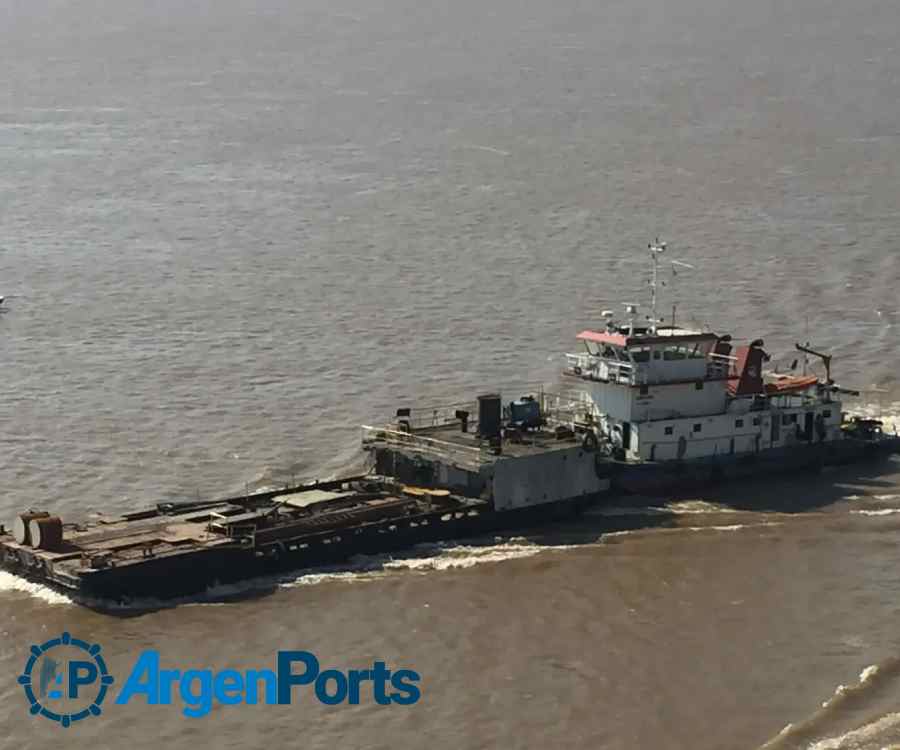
(232, 232)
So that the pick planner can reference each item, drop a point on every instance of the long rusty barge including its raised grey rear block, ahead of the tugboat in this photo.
(183, 548)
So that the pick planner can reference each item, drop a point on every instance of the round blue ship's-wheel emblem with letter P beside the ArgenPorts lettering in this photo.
(71, 679)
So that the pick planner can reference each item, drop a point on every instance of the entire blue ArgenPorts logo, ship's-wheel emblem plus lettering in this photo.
(66, 680)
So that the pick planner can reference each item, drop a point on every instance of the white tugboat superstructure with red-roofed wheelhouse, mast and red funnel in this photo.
(659, 393)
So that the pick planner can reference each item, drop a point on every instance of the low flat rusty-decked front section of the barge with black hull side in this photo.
(177, 549)
